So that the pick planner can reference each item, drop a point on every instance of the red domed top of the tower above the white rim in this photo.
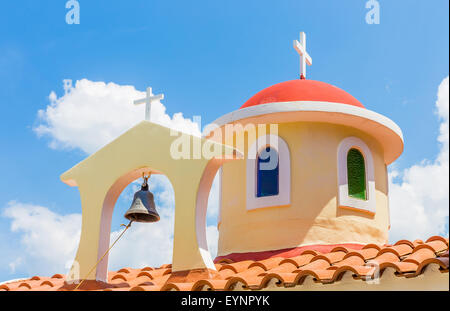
(302, 90)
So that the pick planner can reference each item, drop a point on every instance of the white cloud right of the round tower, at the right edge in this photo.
(419, 195)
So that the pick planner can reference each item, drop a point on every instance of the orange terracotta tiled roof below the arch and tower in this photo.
(404, 258)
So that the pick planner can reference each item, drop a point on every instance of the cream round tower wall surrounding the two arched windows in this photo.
(313, 216)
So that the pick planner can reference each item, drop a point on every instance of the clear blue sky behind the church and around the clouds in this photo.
(208, 58)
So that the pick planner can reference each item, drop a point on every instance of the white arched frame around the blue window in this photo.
(284, 173)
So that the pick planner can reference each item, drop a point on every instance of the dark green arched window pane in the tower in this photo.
(356, 174)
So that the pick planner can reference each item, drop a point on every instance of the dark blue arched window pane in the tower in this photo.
(267, 172)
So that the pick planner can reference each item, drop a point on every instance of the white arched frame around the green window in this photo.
(344, 200)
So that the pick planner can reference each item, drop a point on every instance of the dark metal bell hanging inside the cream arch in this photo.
(143, 207)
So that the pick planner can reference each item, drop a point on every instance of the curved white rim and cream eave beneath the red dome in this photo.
(387, 132)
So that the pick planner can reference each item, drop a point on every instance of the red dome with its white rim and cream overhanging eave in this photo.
(304, 100)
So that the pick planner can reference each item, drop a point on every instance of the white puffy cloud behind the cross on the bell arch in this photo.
(92, 114)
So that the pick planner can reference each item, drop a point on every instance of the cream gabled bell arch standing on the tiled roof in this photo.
(103, 176)
